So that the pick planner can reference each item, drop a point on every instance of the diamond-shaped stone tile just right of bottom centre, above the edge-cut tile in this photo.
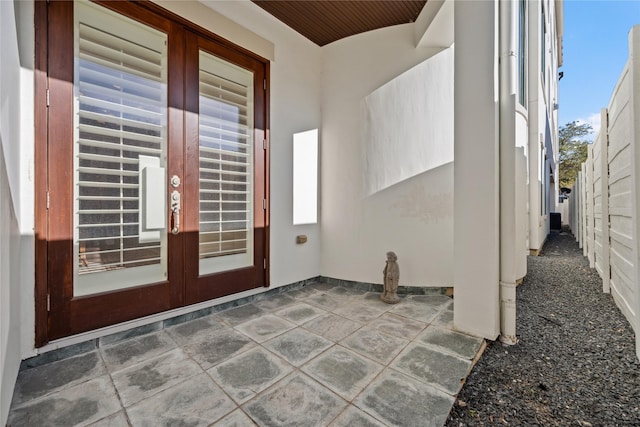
(343, 371)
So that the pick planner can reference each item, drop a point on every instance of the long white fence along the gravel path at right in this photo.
(604, 205)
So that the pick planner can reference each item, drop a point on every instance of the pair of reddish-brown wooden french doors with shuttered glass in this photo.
(156, 166)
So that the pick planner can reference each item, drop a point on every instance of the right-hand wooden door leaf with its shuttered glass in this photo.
(226, 156)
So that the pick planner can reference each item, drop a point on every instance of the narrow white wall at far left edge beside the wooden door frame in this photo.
(16, 194)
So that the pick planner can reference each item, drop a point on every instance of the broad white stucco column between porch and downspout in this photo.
(477, 170)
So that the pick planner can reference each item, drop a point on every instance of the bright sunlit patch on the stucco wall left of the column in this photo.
(406, 124)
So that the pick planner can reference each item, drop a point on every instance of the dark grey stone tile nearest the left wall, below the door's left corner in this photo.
(41, 380)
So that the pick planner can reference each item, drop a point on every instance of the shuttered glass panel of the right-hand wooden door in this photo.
(226, 165)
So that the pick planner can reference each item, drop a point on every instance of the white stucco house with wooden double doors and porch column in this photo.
(98, 237)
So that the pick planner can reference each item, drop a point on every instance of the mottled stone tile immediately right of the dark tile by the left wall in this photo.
(147, 378)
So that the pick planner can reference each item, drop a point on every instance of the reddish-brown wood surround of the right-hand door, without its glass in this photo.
(215, 285)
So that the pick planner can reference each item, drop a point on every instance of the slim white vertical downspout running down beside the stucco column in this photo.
(507, 84)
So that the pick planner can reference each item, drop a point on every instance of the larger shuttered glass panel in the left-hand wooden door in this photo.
(120, 151)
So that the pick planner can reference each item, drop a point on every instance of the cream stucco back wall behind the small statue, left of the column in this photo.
(414, 217)
